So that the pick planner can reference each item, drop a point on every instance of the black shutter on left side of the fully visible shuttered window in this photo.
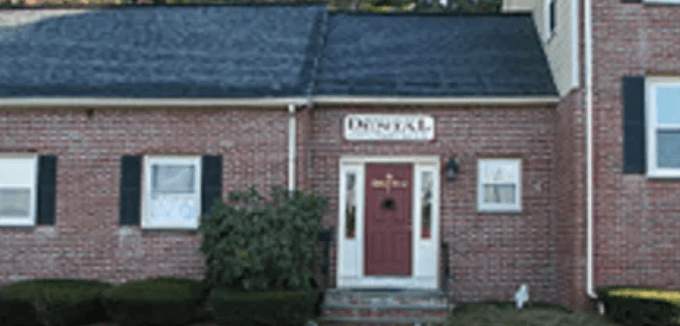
(130, 189)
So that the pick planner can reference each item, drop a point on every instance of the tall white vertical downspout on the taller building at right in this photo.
(589, 147)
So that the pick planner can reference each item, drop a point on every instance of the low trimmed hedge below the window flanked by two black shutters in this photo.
(162, 301)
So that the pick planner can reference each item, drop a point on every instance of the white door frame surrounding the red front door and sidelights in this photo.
(425, 252)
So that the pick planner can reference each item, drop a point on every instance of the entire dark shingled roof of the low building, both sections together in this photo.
(270, 51)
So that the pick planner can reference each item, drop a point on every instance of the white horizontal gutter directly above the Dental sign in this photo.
(481, 100)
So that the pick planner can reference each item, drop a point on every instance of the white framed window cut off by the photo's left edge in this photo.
(18, 189)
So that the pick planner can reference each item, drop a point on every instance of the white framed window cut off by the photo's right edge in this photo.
(662, 116)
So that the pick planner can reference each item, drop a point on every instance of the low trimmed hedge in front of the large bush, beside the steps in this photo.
(279, 308)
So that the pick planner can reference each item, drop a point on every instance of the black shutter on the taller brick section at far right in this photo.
(634, 155)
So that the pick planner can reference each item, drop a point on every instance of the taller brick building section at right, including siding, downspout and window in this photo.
(615, 62)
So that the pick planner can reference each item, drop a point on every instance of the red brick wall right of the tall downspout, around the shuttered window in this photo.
(637, 221)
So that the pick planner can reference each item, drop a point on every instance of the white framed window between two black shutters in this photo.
(172, 192)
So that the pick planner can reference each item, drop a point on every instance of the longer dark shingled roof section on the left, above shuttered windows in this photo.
(201, 51)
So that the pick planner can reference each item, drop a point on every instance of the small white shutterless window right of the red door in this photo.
(499, 185)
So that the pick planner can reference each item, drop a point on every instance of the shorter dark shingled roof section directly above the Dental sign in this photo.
(433, 55)
